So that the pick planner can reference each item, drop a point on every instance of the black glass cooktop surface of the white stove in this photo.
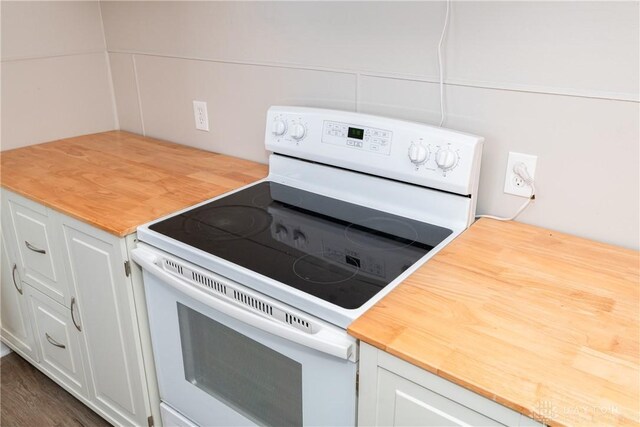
(334, 250)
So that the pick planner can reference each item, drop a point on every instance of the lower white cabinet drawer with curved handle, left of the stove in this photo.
(58, 341)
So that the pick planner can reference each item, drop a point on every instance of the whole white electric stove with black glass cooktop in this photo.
(249, 294)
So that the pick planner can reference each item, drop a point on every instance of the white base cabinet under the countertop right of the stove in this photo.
(396, 393)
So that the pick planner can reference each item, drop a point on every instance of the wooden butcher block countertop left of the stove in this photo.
(117, 180)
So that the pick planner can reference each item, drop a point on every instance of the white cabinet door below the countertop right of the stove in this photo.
(404, 403)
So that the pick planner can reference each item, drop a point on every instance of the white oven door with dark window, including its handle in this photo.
(221, 365)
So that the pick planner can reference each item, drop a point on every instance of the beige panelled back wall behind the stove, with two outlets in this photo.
(554, 79)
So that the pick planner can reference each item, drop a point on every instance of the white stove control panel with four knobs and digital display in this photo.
(417, 153)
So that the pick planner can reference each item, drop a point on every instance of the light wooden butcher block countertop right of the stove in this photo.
(542, 322)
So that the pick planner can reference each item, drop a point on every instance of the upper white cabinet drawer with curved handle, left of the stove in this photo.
(39, 253)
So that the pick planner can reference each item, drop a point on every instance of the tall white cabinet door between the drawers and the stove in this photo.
(107, 315)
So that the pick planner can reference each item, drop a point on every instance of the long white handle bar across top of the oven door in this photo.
(325, 340)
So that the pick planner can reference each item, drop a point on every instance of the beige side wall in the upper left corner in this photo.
(54, 69)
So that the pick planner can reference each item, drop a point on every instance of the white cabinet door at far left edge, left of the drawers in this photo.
(16, 323)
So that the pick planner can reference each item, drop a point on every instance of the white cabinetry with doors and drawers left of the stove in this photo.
(68, 306)
